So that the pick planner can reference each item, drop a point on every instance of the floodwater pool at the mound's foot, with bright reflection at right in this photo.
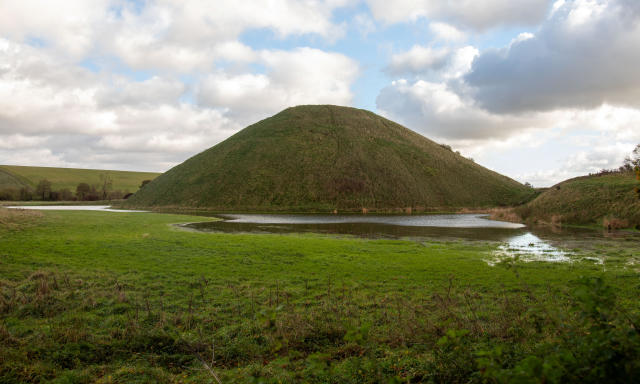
(514, 240)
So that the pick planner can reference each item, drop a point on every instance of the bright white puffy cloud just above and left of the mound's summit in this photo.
(302, 76)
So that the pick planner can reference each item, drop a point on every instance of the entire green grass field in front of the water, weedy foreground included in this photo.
(96, 296)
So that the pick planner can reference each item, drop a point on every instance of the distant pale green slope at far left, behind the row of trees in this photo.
(70, 177)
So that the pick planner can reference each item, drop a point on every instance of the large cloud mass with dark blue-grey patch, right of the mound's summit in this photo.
(568, 92)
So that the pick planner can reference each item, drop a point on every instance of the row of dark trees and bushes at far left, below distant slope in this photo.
(83, 192)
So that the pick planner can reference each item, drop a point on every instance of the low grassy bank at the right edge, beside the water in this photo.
(587, 200)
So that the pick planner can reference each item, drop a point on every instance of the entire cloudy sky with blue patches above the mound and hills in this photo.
(538, 90)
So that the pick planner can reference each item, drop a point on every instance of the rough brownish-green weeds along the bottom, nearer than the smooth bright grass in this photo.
(53, 325)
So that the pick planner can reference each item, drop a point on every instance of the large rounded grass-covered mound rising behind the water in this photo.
(320, 158)
